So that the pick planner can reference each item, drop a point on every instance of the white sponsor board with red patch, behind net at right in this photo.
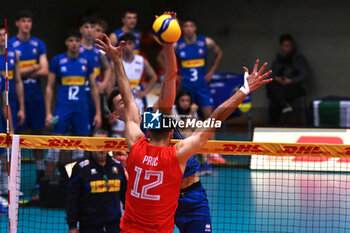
(333, 144)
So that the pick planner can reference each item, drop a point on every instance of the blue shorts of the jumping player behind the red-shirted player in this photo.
(193, 213)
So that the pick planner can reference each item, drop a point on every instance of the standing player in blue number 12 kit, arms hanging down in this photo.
(71, 70)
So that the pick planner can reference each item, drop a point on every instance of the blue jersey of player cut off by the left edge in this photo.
(12, 60)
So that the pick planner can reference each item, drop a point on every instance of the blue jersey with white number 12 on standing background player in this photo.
(71, 75)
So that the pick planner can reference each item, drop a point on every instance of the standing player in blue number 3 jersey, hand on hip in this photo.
(191, 50)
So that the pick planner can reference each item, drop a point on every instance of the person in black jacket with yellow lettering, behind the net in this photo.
(96, 188)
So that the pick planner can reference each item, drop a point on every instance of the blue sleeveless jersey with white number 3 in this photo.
(192, 59)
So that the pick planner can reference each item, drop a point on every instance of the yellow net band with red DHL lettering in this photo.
(220, 147)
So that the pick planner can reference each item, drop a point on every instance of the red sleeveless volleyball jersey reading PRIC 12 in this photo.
(153, 188)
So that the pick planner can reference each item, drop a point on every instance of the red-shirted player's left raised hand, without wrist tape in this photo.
(114, 53)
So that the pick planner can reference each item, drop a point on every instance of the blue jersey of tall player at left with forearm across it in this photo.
(29, 53)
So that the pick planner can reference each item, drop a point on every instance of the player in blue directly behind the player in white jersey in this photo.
(129, 21)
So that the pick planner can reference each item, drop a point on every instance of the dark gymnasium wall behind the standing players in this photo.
(244, 29)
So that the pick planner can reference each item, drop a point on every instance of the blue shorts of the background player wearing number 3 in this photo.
(200, 94)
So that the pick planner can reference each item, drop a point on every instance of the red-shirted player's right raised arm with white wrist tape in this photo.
(189, 146)
